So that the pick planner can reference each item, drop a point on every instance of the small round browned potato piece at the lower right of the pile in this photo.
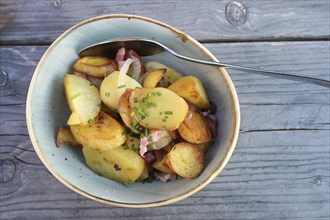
(186, 160)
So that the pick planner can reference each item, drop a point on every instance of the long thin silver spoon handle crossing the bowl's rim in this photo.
(320, 82)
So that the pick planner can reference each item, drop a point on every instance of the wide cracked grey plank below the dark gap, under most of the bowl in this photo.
(280, 168)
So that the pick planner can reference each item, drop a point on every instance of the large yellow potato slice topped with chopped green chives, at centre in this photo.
(157, 108)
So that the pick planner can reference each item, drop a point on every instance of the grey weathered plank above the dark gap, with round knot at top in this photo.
(39, 22)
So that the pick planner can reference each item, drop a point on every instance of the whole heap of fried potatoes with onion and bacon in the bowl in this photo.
(137, 121)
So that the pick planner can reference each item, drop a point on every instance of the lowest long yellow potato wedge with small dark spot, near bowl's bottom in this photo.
(117, 164)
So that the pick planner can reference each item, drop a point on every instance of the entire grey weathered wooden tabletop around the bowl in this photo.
(280, 169)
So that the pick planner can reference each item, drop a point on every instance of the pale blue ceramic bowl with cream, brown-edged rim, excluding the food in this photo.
(47, 109)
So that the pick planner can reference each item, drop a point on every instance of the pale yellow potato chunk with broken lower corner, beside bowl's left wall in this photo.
(83, 99)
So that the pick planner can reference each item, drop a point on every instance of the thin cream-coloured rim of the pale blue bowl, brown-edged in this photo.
(183, 36)
